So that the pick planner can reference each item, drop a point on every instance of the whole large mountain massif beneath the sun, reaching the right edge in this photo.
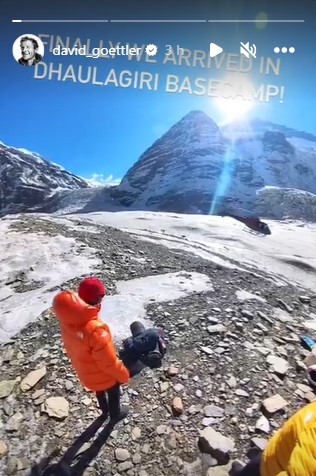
(198, 168)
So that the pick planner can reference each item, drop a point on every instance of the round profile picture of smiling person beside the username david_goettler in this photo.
(28, 49)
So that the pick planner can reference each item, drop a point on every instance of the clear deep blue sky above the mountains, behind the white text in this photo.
(92, 129)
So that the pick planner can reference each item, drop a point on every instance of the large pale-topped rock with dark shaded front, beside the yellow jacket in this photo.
(214, 443)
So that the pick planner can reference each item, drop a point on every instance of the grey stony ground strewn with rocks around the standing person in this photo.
(232, 375)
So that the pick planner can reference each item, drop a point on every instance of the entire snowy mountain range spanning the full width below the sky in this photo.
(196, 167)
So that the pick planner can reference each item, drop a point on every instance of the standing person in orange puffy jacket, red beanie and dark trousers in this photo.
(89, 346)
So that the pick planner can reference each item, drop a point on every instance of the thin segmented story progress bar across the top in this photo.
(158, 21)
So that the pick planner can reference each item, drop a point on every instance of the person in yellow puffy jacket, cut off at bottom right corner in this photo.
(290, 452)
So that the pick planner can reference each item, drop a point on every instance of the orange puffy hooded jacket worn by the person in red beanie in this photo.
(88, 343)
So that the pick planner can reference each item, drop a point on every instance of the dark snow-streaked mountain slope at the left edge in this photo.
(27, 180)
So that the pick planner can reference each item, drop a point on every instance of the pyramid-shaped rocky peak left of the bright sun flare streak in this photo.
(177, 171)
